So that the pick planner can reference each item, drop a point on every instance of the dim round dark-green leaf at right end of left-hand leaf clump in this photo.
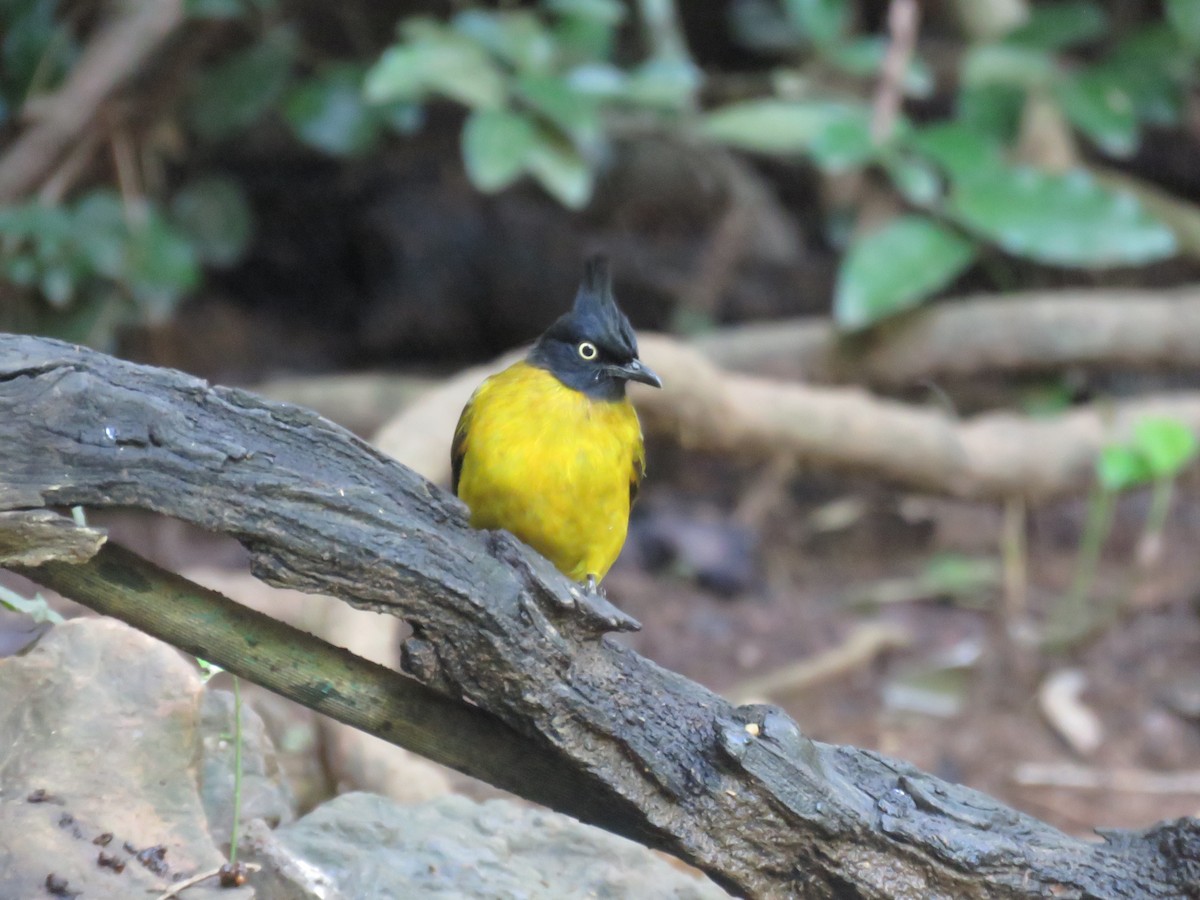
(215, 218)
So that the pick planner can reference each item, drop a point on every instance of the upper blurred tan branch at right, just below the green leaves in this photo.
(1033, 332)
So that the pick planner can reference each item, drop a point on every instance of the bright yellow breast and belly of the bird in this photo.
(553, 466)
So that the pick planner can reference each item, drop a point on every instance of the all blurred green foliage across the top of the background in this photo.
(548, 87)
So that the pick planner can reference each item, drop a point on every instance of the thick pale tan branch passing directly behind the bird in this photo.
(833, 428)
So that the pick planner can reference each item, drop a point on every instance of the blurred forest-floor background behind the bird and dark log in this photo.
(923, 280)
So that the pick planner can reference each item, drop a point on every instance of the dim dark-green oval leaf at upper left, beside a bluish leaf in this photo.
(233, 95)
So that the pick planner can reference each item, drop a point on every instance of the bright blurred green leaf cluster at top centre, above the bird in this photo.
(537, 86)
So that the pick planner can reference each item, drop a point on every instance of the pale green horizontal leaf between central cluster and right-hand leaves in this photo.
(837, 135)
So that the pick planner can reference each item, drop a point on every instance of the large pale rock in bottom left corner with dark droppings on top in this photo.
(100, 743)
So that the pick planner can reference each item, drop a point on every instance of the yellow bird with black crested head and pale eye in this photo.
(551, 448)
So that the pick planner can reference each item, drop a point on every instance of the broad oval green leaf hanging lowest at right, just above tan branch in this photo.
(896, 268)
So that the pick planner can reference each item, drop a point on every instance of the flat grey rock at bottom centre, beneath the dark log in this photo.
(362, 845)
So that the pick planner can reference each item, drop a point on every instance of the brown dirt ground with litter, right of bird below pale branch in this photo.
(977, 719)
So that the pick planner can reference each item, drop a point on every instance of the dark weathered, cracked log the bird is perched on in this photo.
(737, 791)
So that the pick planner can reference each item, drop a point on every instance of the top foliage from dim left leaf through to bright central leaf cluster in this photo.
(537, 86)
